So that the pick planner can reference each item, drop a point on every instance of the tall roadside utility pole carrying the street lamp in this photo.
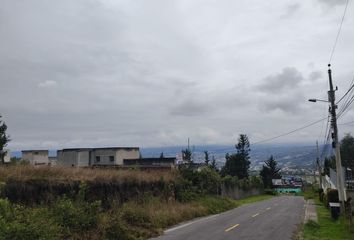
(340, 178)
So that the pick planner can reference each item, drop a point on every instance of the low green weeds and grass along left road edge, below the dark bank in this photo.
(78, 219)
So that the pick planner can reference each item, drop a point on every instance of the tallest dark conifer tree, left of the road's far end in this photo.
(238, 164)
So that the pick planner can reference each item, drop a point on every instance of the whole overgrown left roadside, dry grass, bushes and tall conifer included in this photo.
(85, 203)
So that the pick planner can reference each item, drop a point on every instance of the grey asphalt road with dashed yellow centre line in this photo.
(274, 219)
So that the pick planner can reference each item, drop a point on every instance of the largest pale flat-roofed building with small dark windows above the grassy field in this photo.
(84, 157)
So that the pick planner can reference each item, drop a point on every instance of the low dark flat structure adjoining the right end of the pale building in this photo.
(162, 162)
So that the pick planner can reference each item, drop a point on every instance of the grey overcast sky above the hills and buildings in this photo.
(146, 73)
